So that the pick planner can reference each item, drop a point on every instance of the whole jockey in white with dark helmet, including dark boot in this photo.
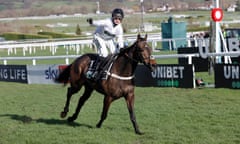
(108, 39)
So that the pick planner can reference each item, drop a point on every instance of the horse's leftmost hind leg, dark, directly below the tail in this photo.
(70, 92)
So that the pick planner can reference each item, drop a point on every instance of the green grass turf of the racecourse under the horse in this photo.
(29, 114)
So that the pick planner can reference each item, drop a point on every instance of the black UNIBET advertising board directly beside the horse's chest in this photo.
(181, 76)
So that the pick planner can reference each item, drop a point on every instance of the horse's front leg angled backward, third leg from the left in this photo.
(106, 104)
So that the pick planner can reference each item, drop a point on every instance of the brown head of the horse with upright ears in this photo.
(144, 52)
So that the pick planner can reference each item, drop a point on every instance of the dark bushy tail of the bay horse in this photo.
(63, 77)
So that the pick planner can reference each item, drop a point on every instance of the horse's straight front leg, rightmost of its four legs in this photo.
(130, 105)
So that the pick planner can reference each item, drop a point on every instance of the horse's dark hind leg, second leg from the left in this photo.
(87, 93)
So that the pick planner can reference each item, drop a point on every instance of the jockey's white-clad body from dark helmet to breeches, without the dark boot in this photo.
(108, 36)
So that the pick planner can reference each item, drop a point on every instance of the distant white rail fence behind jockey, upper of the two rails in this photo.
(78, 45)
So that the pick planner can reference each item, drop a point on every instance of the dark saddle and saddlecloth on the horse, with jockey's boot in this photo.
(99, 67)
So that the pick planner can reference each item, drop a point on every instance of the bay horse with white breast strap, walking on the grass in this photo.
(120, 81)
